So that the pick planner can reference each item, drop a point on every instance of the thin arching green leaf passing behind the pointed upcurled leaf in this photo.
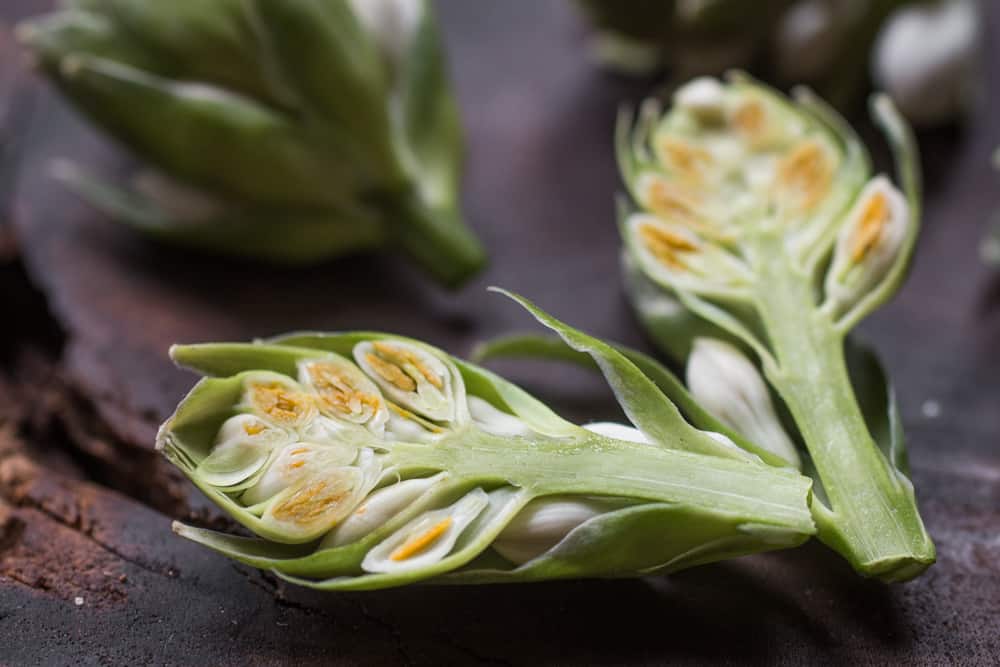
(550, 348)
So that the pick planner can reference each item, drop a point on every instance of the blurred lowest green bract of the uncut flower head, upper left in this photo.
(282, 235)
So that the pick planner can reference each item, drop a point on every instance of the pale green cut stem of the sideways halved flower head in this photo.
(595, 465)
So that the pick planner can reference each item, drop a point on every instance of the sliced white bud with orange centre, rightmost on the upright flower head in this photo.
(867, 244)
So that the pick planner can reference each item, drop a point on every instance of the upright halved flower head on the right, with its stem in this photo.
(758, 216)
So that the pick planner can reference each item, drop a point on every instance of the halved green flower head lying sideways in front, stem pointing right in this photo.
(365, 460)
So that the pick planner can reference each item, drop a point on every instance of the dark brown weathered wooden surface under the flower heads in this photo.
(539, 190)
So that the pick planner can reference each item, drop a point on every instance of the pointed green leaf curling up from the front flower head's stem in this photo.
(643, 402)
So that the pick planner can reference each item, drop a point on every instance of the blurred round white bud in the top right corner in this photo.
(926, 59)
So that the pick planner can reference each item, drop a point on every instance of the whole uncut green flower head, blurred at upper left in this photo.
(289, 131)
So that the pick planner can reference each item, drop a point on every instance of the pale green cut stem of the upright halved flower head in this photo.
(872, 518)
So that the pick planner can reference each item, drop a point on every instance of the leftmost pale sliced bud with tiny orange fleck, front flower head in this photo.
(242, 447)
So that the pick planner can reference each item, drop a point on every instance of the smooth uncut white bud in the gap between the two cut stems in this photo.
(726, 383)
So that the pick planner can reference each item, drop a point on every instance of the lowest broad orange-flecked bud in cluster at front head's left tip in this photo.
(322, 498)
